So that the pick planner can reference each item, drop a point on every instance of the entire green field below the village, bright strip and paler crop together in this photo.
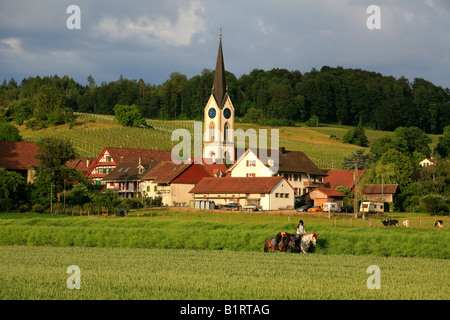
(170, 256)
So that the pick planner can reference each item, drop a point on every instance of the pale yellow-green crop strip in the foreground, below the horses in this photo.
(119, 273)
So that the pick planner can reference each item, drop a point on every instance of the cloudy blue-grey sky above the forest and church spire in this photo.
(150, 39)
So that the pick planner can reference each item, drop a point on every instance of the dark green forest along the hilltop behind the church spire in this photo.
(334, 95)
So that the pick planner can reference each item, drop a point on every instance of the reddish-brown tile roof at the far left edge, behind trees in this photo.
(18, 155)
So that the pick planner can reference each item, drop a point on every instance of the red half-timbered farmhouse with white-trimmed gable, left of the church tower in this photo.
(109, 159)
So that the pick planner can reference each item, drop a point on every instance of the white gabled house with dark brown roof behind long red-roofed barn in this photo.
(294, 166)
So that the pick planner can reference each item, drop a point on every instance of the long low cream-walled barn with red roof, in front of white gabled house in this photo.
(268, 193)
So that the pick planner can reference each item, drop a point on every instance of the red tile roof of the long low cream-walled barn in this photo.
(237, 185)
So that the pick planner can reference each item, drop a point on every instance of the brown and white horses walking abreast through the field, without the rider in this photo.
(286, 242)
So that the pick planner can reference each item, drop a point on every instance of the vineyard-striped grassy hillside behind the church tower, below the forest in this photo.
(91, 133)
